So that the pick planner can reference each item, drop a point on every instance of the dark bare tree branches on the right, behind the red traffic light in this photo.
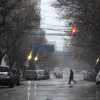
(85, 15)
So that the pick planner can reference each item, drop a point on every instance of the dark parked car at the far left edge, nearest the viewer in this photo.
(9, 76)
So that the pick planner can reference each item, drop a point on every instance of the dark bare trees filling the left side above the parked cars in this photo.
(18, 18)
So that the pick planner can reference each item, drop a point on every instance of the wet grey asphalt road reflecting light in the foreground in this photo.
(53, 89)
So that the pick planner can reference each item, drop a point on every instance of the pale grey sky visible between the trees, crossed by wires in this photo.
(50, 19)
